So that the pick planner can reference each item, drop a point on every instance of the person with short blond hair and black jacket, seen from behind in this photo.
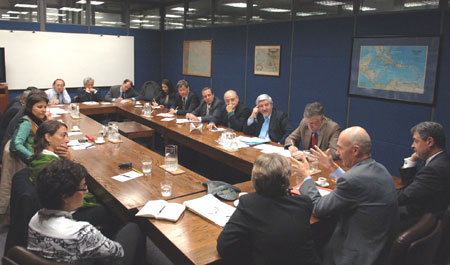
(269, 226)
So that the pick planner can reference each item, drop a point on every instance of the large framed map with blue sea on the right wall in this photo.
(401, 68)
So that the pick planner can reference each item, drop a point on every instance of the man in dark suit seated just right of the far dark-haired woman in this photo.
(186, 101)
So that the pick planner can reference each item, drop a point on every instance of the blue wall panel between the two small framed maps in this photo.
(228, 61)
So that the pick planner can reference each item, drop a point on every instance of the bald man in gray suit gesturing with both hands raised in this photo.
(364, 201)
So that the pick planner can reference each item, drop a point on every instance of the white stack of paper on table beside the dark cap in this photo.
(211, 208)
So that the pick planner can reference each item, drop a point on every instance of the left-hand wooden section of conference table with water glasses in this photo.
(102, 160)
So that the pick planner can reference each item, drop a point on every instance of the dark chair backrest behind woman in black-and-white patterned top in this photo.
(20, 255)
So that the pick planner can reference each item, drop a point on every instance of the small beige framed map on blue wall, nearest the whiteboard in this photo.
(197, 57)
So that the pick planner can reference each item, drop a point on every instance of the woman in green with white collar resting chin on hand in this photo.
(50, 143)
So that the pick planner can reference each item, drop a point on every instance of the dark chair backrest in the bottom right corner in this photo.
(418, 244)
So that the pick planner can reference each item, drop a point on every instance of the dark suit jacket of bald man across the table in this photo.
(235, 121)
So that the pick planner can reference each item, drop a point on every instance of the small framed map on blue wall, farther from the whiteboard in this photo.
(267, 60)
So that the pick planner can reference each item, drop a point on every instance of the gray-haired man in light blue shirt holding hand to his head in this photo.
(268, 123)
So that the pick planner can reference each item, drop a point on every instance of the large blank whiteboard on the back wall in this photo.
(38, 58)
